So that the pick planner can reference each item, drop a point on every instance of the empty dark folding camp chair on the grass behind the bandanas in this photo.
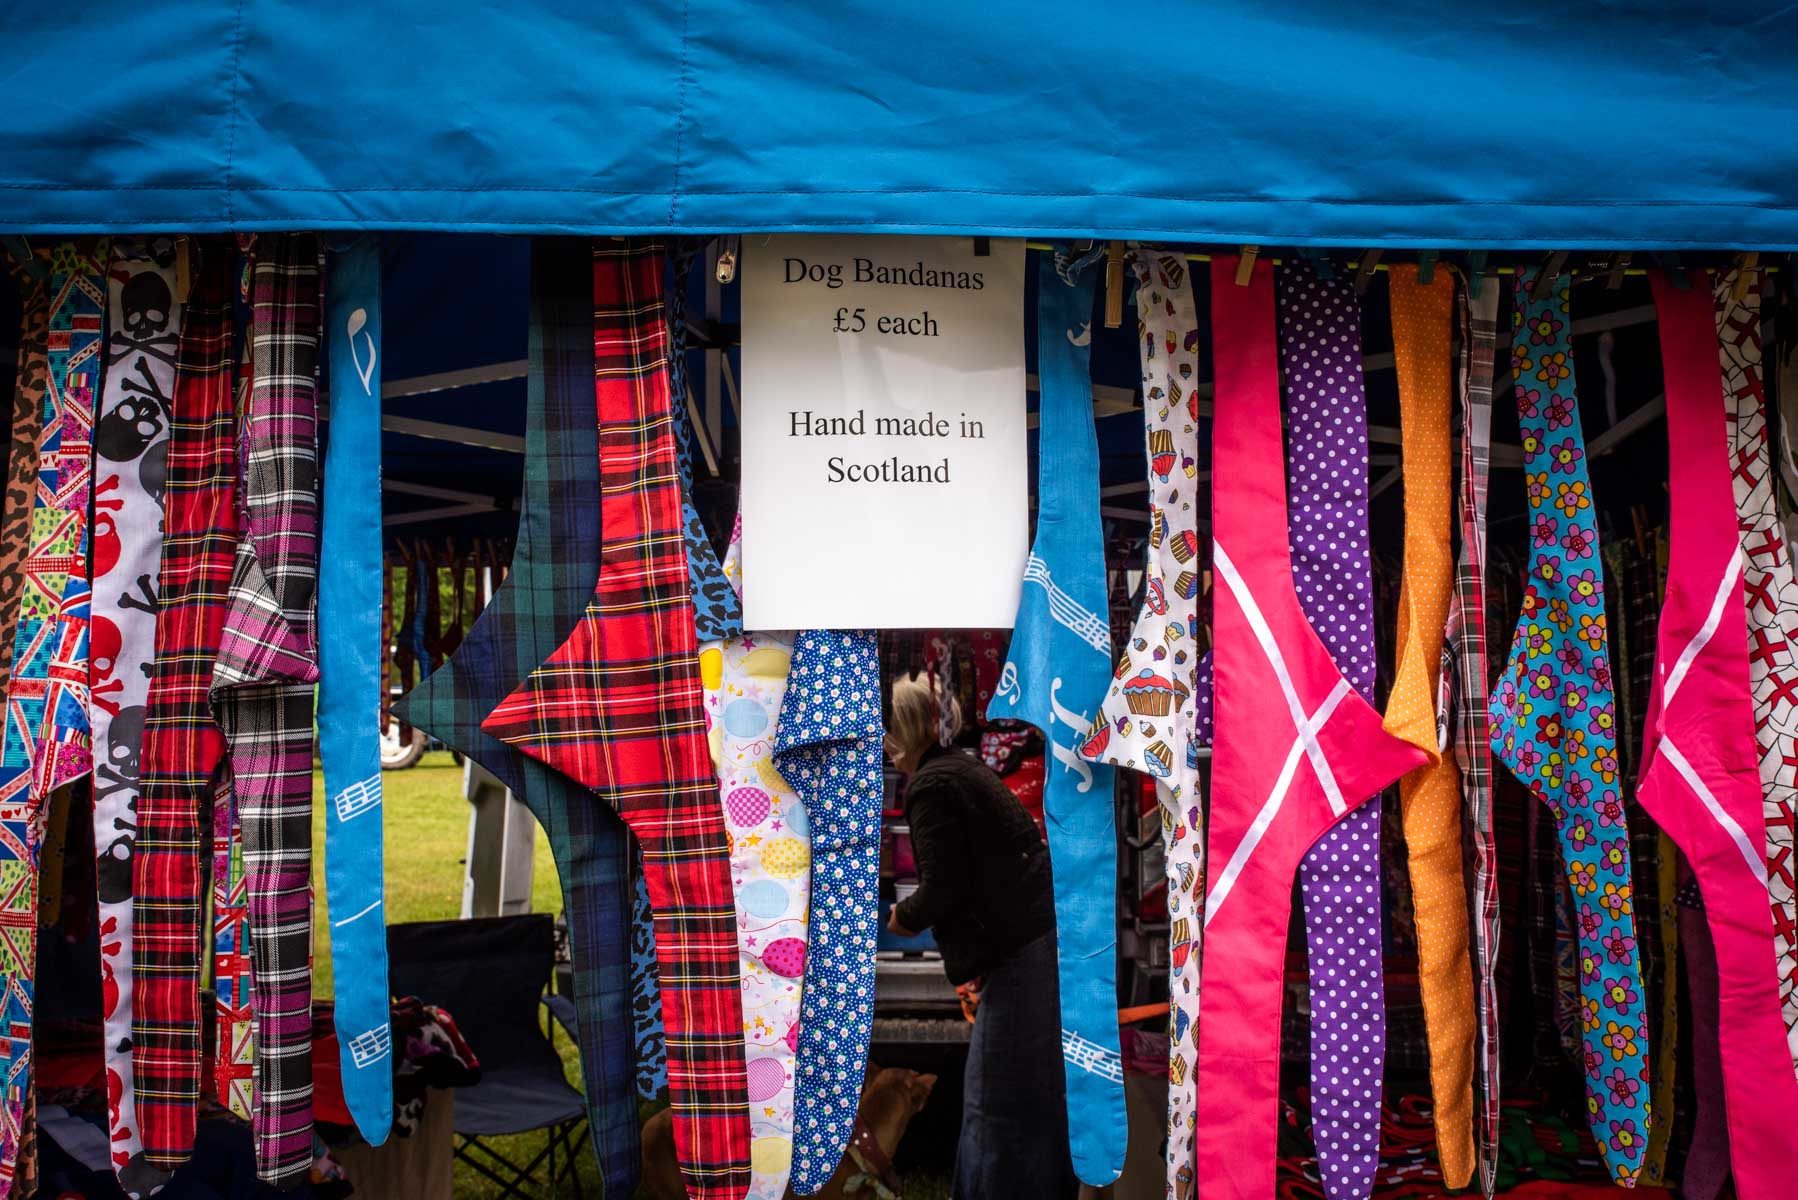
(492, 974)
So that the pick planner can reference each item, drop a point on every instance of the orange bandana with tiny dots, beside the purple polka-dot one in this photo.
(1430, 798)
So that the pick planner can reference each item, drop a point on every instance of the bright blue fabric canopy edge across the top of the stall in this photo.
(1407, 123)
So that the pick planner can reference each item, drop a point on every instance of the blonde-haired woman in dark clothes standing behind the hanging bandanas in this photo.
(984, 891)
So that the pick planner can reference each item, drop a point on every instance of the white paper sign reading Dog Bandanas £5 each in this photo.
(884, 433)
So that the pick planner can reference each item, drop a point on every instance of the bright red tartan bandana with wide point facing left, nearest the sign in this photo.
(619, 708)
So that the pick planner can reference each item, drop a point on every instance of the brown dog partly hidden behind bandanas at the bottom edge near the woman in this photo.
(889, 1102)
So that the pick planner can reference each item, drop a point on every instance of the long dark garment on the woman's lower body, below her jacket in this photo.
(1015, 1098)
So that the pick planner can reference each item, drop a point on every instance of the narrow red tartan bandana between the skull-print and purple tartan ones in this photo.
(182, 744)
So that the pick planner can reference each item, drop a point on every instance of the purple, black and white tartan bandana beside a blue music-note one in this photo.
(263, 697)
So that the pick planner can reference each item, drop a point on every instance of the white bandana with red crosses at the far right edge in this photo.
(1772, 614)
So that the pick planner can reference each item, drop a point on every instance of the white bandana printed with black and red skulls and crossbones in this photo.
(130, 461)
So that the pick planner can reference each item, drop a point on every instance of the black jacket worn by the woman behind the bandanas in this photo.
(984, 882)
